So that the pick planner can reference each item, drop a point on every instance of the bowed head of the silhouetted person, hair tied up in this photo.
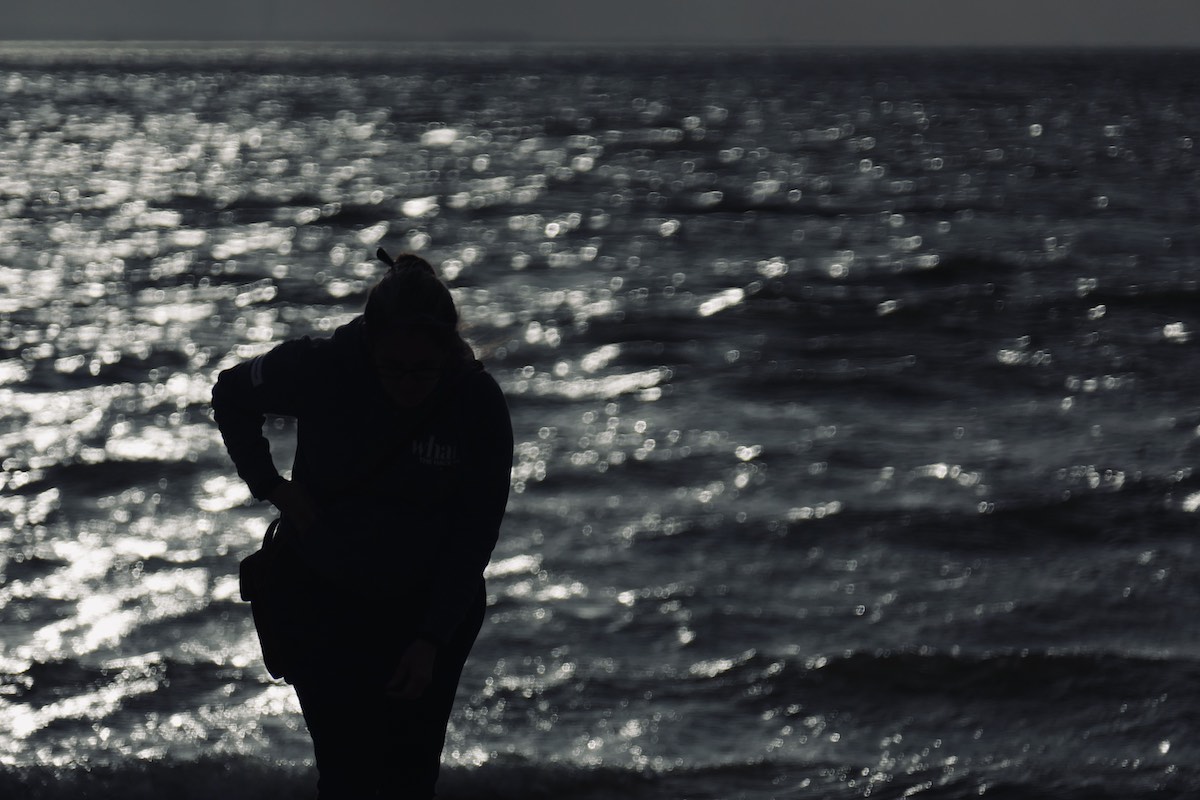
(413, 330)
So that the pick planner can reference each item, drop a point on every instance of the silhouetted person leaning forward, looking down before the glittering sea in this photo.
(400, 482)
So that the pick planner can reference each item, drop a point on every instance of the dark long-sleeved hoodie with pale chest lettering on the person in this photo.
(409, 502)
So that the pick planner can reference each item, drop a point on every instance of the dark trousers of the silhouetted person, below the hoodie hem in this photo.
(367, 744)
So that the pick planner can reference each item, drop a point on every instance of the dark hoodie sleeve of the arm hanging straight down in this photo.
(478, 508)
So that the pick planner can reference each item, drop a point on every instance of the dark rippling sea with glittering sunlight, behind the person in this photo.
(855, 396)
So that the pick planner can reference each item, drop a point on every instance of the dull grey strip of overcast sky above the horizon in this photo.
(1173, 23)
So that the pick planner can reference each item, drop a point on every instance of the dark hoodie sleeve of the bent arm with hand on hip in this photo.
(273, 383)
